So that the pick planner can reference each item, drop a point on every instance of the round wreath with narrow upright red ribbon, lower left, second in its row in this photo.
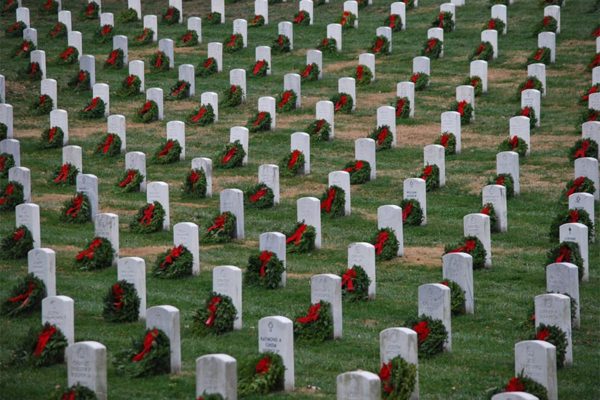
(121, 303)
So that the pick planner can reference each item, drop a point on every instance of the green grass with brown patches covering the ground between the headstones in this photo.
(483, 344)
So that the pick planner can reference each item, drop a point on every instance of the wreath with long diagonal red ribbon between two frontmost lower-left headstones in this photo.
(146, 357)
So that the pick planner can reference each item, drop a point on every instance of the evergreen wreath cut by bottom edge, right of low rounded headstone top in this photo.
(398, 379)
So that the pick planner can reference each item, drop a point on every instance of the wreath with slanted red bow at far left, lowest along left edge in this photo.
(41, 348)
